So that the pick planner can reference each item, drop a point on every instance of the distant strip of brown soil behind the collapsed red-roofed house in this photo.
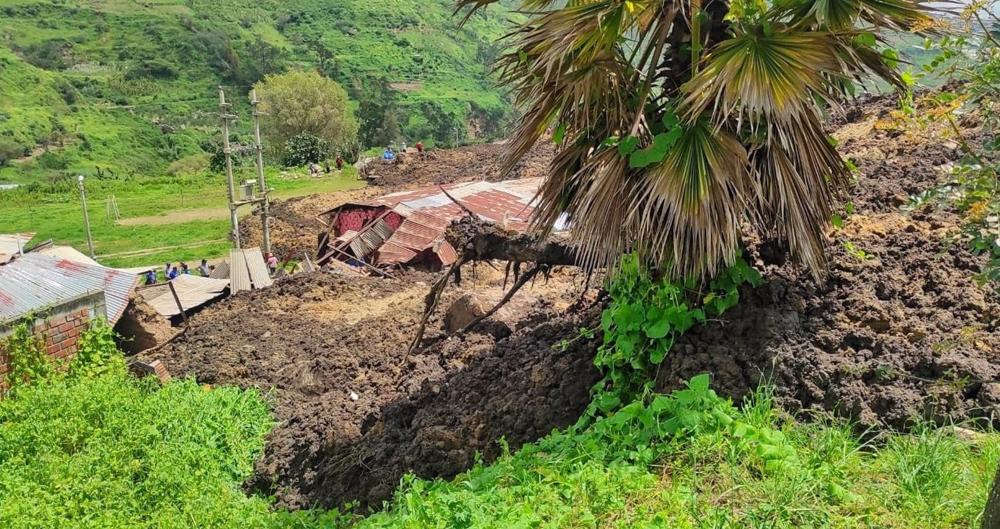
(473, 162)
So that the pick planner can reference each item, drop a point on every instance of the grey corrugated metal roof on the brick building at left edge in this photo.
(35, 281)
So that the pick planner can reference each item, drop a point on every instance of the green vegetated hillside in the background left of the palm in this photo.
(91, 86)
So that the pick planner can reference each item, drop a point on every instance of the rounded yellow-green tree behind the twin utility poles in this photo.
(298, 102)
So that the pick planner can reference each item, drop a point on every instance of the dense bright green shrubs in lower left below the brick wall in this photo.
(110, 451)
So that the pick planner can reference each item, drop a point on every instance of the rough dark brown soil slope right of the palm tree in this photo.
(901, 331)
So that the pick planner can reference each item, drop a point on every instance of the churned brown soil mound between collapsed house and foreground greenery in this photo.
(353, 415)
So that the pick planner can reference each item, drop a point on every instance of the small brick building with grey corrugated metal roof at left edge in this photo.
(62, 297)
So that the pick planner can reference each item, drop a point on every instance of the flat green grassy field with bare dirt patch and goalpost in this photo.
(162, 205)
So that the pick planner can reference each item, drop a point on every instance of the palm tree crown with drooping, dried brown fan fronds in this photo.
(680, 122)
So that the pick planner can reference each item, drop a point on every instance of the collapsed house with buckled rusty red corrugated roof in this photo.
(407, 228)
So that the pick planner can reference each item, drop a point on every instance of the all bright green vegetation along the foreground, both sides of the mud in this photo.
(110, 451)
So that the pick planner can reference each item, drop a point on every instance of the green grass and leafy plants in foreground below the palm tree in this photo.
(713, 478)
